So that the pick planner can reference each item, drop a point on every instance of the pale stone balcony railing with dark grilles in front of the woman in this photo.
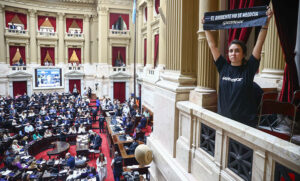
(222, 149)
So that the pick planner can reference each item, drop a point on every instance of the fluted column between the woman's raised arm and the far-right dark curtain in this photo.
(273, 59)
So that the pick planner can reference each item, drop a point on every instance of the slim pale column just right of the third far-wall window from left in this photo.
(86, 30)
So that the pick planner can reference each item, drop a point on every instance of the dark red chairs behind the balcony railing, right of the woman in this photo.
(280, 119)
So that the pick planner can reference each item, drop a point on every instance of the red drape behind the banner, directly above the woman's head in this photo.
(241, 33)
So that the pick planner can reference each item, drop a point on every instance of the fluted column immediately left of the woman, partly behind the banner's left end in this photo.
(205, 92)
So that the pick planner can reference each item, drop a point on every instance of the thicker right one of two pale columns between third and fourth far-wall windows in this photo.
(102, 35)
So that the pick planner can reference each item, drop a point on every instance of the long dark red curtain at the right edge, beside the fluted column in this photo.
(286, 20)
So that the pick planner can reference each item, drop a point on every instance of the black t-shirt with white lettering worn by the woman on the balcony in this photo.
(236, 100)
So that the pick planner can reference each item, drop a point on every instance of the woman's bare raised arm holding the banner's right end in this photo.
(262, 36)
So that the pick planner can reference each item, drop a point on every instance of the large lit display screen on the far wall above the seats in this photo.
(48, 78)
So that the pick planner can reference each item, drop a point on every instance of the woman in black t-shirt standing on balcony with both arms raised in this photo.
(235, 98)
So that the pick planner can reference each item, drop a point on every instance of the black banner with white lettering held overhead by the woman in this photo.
(237, 18)
